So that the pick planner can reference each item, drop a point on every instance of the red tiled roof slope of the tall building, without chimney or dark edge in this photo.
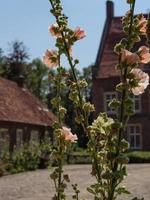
(108, 59)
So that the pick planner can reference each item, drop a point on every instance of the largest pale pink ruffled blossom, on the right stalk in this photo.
(143, 81)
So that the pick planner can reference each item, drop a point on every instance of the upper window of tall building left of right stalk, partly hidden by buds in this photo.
(108, 96)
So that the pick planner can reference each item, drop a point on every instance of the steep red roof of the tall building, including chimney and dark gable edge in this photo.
(106, 58)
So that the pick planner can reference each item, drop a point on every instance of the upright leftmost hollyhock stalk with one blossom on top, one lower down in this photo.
(64, 137)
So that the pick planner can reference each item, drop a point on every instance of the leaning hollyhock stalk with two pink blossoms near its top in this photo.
(66, 38)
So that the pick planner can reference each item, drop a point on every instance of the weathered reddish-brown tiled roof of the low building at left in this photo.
(19, 105)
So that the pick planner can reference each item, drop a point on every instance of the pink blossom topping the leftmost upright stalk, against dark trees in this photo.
(50, 58)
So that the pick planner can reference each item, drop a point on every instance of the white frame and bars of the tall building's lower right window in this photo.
(135, 147)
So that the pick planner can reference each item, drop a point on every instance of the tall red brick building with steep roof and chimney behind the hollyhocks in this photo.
(105, 79)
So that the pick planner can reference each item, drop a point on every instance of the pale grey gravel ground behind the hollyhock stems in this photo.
(36, 185)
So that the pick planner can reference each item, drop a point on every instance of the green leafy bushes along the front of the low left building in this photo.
(29, 156)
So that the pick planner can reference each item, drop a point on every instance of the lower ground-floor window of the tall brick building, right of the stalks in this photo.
(134, 135)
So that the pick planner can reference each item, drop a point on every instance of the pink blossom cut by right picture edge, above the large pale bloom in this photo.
(144, 54)
